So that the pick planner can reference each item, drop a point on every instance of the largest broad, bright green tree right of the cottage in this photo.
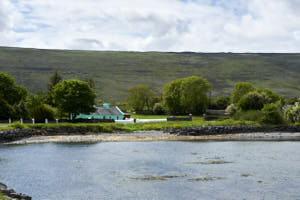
(186, 95)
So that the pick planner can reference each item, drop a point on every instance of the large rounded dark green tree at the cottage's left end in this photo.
(74, 97)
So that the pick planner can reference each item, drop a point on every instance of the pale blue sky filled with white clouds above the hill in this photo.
(152, 25)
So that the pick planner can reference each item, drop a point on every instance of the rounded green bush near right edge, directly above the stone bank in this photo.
(271, 114)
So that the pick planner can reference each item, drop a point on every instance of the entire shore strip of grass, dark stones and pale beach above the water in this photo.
(196, 130)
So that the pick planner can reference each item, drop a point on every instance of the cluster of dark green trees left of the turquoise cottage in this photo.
(63, 98)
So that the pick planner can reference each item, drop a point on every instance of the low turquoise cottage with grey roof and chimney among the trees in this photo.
(104, 112)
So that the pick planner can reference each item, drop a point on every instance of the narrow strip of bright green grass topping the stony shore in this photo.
(115, 127)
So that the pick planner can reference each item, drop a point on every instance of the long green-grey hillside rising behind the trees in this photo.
(115, 72)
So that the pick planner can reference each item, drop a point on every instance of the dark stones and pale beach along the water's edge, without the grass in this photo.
(220, 133)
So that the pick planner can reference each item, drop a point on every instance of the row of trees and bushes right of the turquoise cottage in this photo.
(192, 95)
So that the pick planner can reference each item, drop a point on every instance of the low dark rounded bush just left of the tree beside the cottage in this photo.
(41, 112)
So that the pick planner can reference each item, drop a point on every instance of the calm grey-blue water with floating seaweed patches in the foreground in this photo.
(124, 170)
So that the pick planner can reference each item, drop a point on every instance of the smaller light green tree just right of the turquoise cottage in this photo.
(140, 97)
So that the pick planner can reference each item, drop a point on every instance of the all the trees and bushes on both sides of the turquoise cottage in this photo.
(190, 95)
